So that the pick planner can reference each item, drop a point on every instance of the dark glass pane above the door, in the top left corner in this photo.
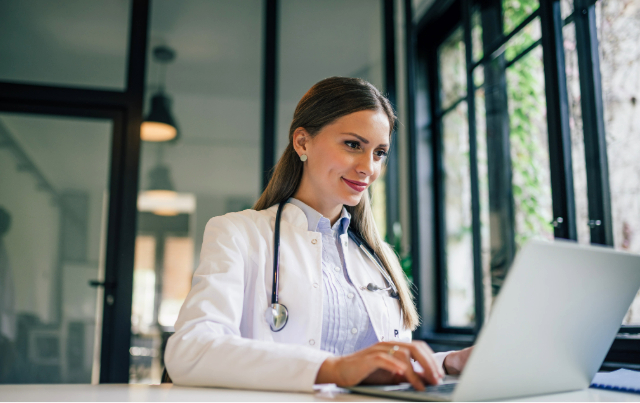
(74, 43)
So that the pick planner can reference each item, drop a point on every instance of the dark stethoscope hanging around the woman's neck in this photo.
(277, 314)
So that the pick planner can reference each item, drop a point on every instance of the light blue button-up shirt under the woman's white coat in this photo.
(346, 327)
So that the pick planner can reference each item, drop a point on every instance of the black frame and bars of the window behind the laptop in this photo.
(423, 39)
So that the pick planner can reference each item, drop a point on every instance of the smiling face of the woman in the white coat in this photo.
(345, 157)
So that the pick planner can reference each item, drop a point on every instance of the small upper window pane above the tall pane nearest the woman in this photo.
(452, 68)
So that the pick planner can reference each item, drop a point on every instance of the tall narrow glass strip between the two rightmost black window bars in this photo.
(577, 134)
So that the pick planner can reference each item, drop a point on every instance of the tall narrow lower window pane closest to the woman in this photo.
(457, 194)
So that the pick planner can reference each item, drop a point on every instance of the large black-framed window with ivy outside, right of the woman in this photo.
(501, 139)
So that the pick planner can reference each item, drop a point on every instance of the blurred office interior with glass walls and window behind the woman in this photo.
(518, 120)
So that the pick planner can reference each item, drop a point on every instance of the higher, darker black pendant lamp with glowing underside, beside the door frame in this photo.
(159, 125)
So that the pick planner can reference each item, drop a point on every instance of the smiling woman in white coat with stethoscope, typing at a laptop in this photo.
(350, 312)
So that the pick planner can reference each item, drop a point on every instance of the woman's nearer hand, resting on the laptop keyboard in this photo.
(383, 363)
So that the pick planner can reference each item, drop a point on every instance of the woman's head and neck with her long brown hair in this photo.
(343, 126)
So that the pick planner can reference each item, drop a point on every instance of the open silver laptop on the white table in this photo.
(550, 328)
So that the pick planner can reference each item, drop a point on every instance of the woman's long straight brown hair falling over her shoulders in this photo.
(325, 102)
